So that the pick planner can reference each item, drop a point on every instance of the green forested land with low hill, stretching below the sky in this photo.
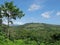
(30, 34)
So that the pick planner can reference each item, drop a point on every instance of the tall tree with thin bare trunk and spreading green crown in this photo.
(10, 12)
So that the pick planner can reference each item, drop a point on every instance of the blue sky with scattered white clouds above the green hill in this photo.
(37, 11)
